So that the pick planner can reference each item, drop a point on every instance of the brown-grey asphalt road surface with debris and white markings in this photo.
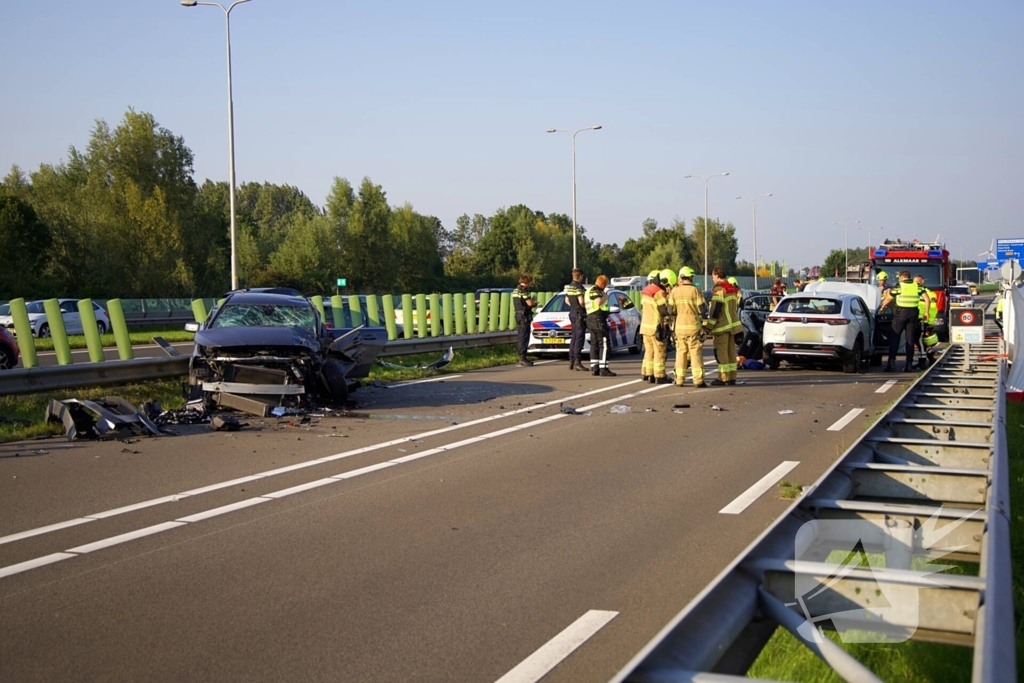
(461, 530)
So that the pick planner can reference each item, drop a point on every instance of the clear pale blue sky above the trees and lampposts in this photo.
(905, 115)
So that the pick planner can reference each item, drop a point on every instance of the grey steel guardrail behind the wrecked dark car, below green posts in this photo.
(39, 380)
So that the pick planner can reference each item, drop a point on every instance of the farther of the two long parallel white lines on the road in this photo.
(291, 468)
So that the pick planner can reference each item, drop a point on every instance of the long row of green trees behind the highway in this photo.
(125, 218)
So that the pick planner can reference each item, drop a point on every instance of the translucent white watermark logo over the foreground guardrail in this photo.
(865, 577)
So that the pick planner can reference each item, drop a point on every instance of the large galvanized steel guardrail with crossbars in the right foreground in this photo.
(934, 466)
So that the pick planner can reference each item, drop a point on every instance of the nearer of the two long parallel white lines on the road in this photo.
(157, 529)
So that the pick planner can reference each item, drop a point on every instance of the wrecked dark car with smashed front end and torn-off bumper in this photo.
(260, 351)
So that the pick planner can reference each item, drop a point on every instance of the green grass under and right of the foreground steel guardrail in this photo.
(785, 659)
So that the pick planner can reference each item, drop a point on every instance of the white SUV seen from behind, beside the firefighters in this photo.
(826, 323)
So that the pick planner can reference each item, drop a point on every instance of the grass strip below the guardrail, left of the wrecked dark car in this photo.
(22, 417)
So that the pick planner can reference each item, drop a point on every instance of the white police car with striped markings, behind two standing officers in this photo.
(552, 330)
